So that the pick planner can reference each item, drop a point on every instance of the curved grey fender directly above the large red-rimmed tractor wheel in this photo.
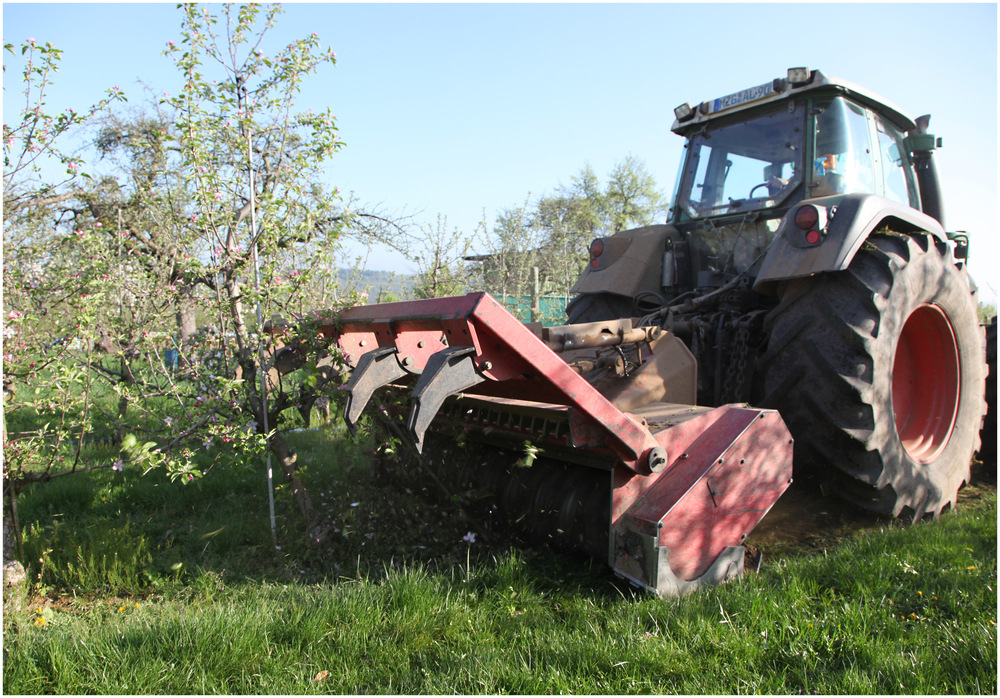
(856, 216)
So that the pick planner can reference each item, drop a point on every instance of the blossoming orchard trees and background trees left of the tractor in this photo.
(145, 266)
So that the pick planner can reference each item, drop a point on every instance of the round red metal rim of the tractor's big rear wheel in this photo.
(925, 383)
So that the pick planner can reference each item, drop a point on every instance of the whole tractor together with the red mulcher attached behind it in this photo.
(802, 313)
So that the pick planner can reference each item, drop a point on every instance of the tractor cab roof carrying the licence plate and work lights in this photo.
(799, 80)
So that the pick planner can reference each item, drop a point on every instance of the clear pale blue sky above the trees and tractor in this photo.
(463, 110)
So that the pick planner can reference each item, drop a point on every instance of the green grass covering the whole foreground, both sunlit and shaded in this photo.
(150, 587)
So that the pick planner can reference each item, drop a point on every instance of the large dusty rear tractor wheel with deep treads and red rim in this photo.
(878, 372)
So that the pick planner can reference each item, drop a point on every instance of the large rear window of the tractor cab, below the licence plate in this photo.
(746, 165)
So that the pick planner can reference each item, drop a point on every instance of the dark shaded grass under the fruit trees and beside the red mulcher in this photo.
(134, 534)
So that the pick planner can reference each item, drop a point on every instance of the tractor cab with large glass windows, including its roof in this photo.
(749, 157)
